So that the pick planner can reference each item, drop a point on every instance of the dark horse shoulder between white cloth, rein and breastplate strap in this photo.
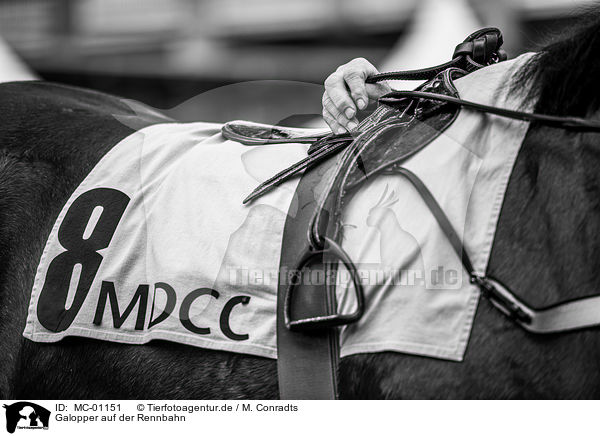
(547, 245)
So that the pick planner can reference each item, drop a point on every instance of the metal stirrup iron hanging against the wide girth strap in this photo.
(335, 251)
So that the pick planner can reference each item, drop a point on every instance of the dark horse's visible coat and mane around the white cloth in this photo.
(547, 249)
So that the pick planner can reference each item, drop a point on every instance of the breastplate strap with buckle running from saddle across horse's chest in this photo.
(571, 315)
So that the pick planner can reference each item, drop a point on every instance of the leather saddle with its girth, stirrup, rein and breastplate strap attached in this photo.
(335, 166)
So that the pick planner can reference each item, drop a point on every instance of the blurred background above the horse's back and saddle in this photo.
(166, 52)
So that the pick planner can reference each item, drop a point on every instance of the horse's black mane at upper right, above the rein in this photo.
(565, 75)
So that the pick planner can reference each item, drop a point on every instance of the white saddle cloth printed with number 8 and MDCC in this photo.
(210, 264)
